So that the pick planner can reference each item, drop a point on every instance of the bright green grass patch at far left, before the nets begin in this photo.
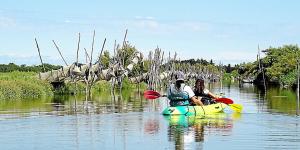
(19, 85)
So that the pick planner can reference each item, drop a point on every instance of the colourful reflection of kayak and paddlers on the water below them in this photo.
(190, 131)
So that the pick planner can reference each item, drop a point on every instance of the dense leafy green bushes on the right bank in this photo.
(279, 66)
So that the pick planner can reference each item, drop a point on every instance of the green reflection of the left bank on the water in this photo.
(104, 102)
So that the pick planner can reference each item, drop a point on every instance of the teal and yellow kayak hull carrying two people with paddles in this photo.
(195, 110)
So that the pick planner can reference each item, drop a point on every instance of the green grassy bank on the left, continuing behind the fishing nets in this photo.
(21, 85)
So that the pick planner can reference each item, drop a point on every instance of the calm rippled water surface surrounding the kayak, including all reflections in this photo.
(128, 121)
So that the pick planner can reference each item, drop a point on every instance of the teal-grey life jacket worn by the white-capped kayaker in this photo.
(178, 97)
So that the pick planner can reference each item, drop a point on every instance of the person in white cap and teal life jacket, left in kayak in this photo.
(181, 94)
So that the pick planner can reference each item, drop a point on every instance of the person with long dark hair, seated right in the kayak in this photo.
(204, 94)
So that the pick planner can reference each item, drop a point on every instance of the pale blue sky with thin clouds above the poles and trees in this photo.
(227, 31)
